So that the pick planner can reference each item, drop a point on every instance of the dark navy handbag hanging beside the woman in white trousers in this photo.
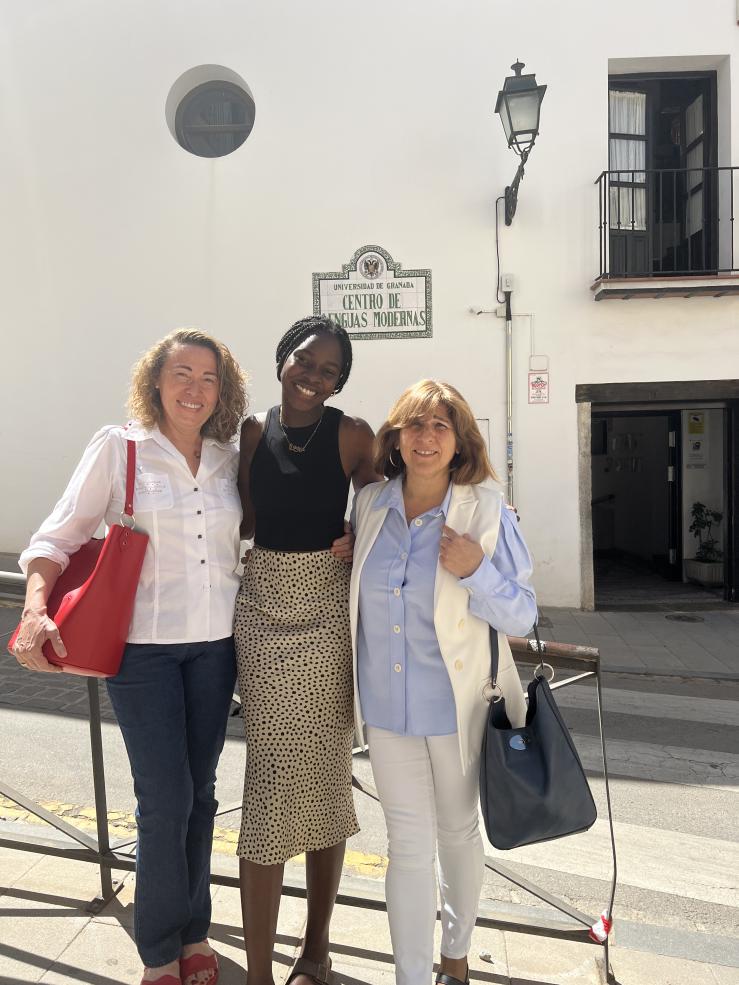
(532, 784)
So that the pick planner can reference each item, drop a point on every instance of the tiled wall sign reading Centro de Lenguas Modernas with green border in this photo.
(372, 297)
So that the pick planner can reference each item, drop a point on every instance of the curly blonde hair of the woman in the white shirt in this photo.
(145, 404)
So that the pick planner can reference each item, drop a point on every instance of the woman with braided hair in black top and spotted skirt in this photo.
(293, 642)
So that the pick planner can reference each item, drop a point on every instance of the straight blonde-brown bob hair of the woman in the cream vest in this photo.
(471, 463)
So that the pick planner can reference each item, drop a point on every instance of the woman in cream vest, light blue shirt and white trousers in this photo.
(438, 561)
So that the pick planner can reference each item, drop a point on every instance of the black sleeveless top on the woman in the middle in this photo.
(299, 498)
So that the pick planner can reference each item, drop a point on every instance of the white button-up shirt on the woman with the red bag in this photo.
(188, 580)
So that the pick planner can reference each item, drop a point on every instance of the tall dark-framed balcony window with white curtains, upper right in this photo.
(663, 182)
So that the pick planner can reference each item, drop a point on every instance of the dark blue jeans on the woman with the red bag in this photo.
(172, 704)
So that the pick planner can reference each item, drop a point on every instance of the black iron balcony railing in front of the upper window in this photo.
(666, 222)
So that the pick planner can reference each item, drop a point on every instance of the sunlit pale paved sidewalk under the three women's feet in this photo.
(49, 937)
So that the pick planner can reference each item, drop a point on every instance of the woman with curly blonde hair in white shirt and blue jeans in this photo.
(174, 688)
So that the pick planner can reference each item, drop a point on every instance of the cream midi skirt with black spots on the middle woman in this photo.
(294, 655)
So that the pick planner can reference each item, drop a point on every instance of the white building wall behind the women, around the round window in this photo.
(373, 125)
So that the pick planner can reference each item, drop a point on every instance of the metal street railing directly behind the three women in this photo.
(81, 846)
